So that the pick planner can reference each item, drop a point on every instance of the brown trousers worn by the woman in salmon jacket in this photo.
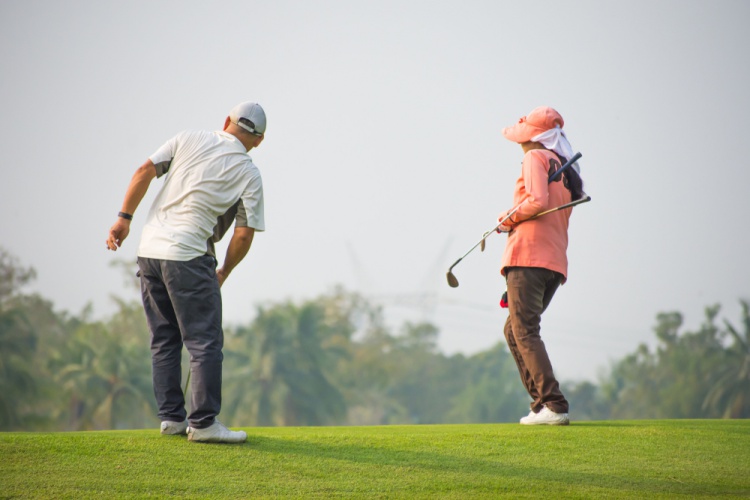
(530, 290)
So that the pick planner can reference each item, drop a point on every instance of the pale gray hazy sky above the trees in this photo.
(383, 160)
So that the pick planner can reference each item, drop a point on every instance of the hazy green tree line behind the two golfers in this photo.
(331, 360)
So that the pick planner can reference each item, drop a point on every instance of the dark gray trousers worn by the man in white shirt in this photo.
(182, 302)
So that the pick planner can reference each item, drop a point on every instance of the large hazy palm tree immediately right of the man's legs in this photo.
(281, 366)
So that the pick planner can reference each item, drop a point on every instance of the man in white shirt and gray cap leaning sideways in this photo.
(209, 181)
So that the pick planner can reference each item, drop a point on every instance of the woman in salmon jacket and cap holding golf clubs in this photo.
(535, 263)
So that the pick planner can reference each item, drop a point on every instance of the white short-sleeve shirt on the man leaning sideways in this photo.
(208, 179)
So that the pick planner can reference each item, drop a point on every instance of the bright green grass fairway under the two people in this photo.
(637, 459)
